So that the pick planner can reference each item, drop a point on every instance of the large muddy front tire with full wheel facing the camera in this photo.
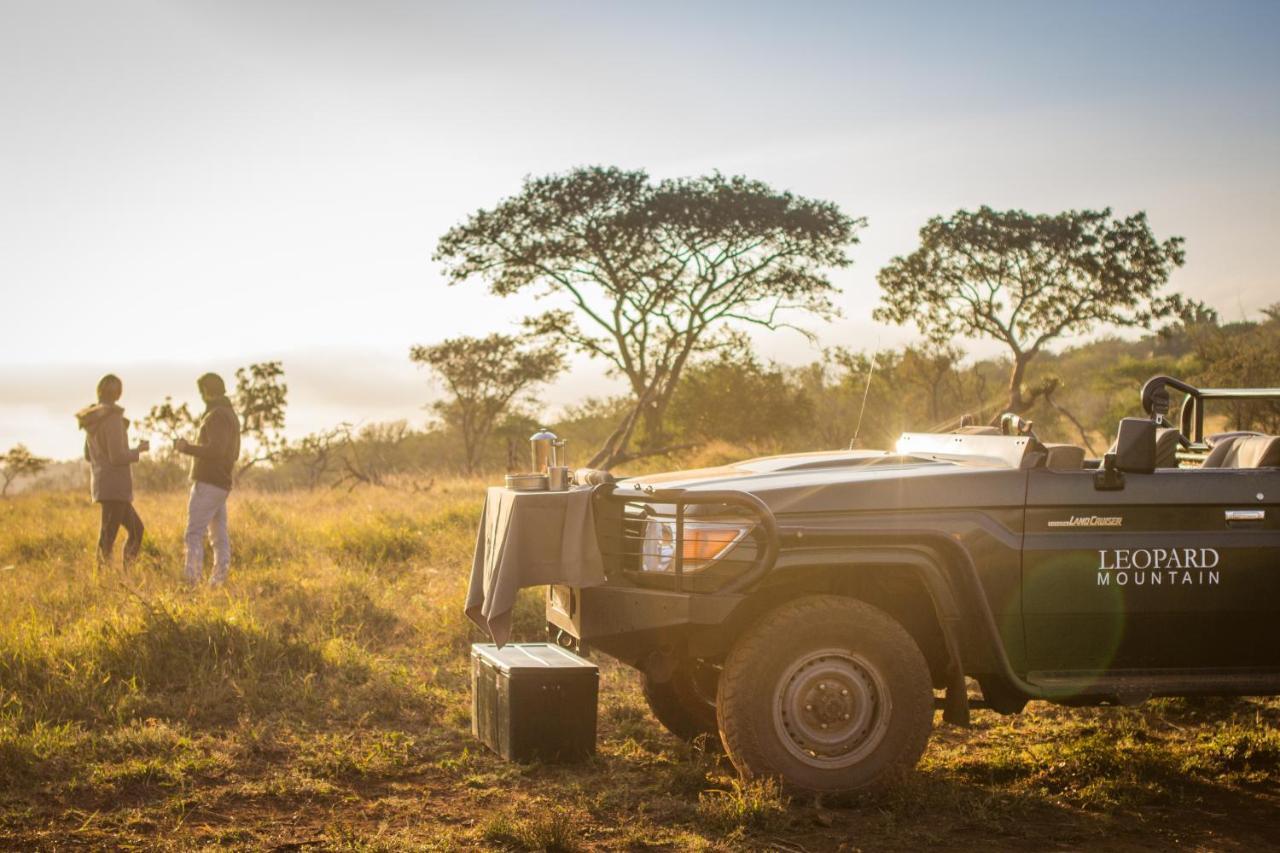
(838, 644)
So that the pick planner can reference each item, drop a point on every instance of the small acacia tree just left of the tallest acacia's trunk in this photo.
(486, 377)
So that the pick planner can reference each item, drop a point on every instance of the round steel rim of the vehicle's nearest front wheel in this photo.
(831, 709)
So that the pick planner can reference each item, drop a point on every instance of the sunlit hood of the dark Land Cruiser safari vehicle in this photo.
(852, 481)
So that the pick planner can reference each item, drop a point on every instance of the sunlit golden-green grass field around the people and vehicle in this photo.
(321, 701)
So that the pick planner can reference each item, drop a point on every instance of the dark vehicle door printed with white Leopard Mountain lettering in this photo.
(1177, 571)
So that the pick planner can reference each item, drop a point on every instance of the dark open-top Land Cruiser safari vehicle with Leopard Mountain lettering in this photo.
(808, 608)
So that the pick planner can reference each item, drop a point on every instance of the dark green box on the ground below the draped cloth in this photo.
(534, 703)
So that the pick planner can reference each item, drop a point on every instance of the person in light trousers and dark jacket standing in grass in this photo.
(213, 462)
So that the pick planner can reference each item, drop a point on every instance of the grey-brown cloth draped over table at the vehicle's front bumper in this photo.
(529, 540)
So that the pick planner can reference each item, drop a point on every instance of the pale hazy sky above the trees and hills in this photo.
(194, 186)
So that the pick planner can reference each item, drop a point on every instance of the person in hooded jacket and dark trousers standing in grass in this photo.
(107, 449)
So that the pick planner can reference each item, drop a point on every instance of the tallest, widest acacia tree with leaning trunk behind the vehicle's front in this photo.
(648, 275)
